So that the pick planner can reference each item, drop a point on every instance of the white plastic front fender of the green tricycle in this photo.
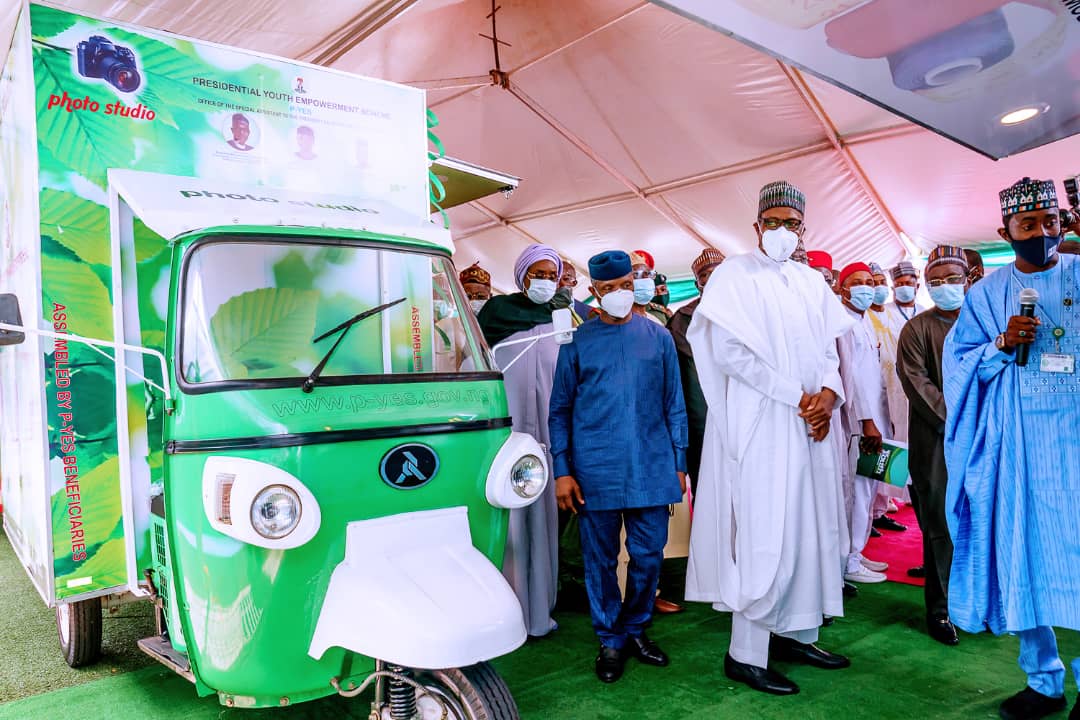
(413, 591)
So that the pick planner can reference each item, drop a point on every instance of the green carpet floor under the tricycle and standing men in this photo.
(898, 673)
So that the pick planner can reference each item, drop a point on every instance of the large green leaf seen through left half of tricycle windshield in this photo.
(262, 333)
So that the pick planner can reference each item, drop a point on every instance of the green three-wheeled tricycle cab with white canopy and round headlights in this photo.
(337, 459)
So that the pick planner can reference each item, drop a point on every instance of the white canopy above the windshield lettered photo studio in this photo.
(172, 206)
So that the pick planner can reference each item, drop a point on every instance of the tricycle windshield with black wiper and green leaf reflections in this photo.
(264, 311)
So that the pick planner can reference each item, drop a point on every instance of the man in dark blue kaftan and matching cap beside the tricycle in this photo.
(618, 441)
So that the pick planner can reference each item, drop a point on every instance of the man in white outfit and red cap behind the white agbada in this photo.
(865, 415)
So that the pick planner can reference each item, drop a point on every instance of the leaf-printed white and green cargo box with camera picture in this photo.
(82, 97)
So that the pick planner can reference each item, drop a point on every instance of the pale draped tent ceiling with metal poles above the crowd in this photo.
(631, 127)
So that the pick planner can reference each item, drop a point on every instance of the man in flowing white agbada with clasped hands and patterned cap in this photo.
(768, 536)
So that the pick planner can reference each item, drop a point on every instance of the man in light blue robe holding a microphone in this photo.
(1012, 456)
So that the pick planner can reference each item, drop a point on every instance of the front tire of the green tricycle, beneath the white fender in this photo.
(472, 694)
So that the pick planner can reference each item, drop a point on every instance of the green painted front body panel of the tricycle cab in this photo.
(249, 614)
